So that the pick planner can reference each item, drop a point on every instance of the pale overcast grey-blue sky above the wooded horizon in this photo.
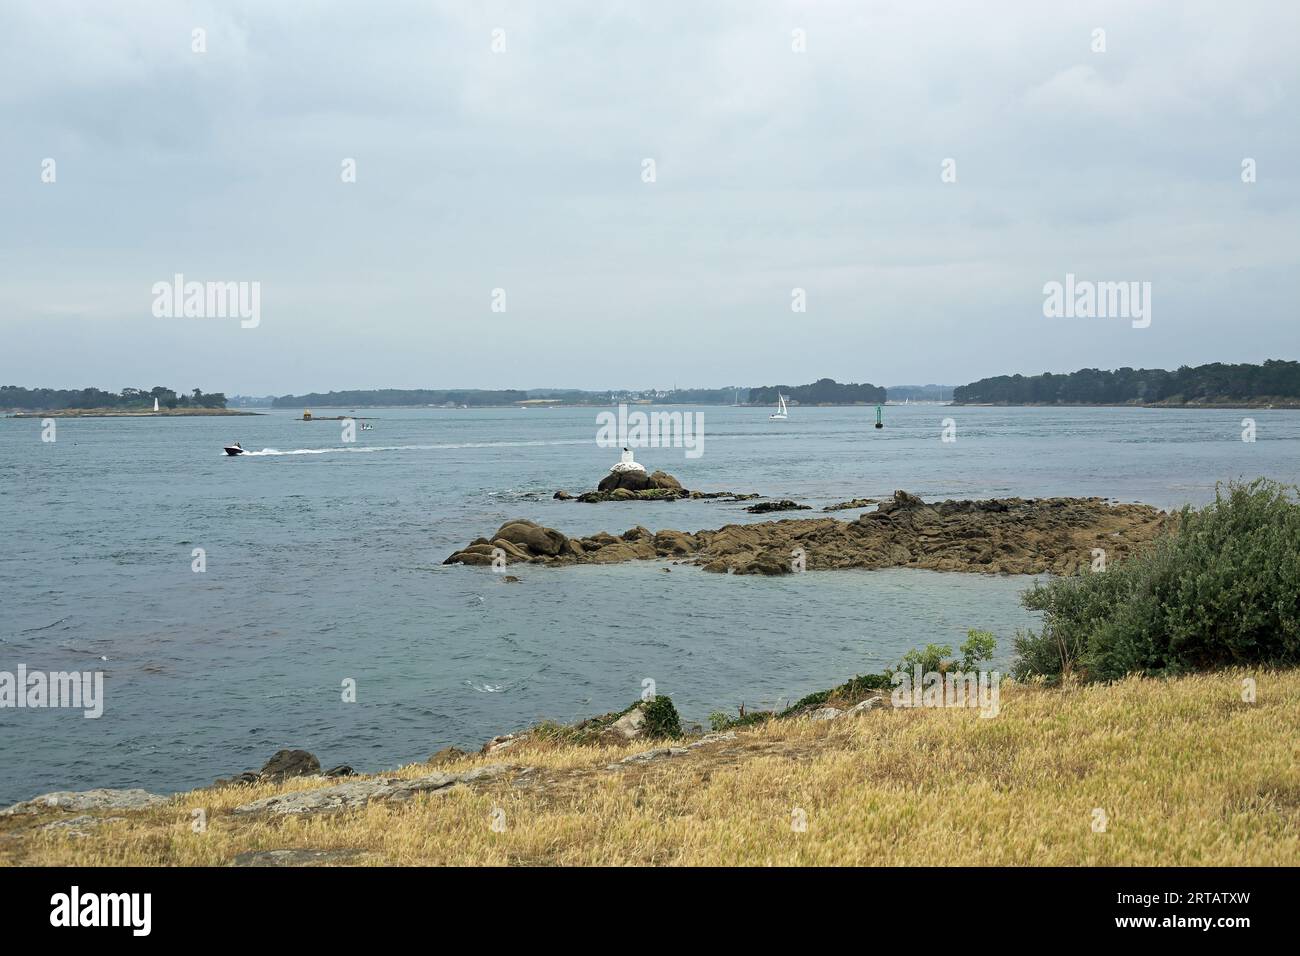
(920, 170)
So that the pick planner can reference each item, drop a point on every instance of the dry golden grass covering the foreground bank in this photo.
(1185, 771)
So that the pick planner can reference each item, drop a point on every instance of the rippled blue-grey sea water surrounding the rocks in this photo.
(324, 564)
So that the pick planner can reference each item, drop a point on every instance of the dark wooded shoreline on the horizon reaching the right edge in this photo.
(1273, 382)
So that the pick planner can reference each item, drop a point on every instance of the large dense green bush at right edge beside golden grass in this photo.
(1221, 591)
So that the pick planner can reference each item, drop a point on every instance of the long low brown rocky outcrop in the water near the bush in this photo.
(995, 537)
